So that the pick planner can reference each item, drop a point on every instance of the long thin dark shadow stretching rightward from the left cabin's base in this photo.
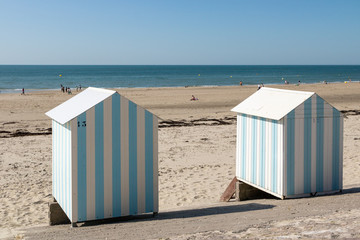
(190, 213)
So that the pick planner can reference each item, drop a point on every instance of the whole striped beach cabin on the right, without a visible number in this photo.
(289, 143)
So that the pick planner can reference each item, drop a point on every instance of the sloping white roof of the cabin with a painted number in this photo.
(79, 104)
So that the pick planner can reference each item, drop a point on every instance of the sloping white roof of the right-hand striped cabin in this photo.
(272, 103)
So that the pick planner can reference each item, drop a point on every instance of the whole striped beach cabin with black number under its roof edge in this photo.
(104, 156)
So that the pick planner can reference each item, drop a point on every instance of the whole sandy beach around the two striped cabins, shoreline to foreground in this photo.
(196, 163)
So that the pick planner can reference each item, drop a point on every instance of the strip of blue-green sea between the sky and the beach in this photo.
(50, 77)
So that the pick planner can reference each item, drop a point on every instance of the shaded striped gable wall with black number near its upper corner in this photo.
(115, 157)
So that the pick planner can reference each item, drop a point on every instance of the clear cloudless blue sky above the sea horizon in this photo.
(238, 32)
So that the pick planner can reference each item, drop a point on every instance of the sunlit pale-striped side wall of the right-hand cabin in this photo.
(259, 155)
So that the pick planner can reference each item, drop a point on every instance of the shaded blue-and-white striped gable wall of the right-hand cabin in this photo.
(313, 134)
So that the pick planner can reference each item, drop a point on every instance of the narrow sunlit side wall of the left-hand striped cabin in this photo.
(61, 165)
